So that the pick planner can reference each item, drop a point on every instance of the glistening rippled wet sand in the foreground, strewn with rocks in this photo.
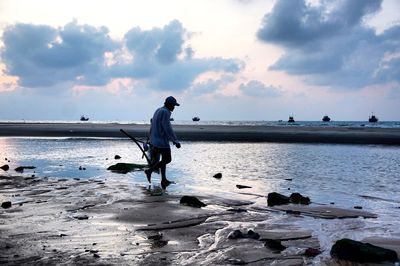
(116, 222)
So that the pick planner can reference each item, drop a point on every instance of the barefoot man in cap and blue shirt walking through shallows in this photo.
(161, 133)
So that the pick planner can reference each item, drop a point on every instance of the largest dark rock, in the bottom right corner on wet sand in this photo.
(356, 251)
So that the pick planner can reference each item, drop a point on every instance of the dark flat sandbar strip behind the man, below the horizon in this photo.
(197, 132)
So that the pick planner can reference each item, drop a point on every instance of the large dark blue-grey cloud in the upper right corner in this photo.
(329, 43)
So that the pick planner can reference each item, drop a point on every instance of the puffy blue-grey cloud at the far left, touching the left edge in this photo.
(44, 56)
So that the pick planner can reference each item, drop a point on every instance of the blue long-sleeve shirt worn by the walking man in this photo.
(161, 131)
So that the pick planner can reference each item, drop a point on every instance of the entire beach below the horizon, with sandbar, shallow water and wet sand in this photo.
(71, 210)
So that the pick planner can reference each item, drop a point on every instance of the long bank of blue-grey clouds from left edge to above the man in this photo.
(42, 56)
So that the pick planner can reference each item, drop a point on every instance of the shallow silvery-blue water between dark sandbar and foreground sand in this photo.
(346, 175)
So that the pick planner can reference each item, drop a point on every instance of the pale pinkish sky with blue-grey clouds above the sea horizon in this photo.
(221, 59)
